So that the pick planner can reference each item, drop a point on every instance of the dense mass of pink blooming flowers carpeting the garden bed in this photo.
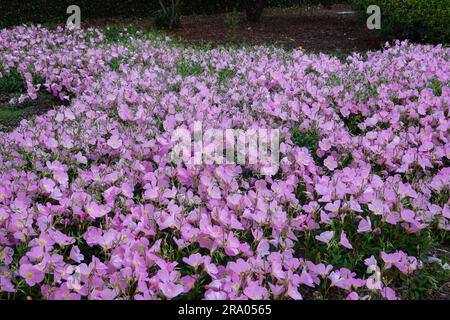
(92, 207)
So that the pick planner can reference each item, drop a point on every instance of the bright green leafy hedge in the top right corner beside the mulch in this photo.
(417, 20)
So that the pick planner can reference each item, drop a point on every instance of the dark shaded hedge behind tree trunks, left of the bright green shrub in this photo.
(13, 12)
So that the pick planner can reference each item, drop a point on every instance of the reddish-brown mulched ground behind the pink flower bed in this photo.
(310, 28)
